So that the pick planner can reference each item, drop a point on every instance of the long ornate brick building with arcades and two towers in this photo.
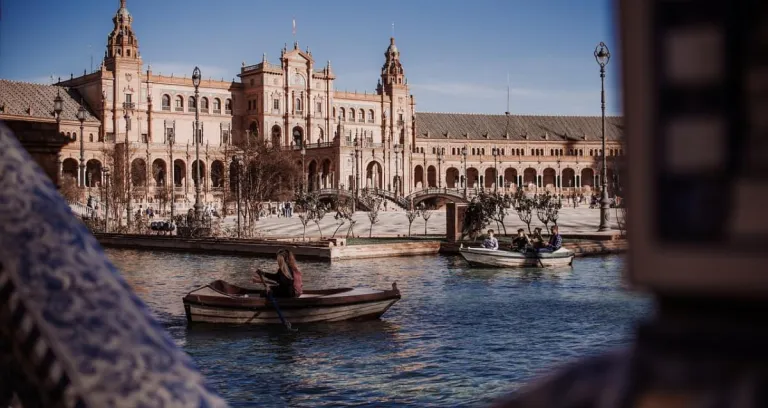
(364, 140)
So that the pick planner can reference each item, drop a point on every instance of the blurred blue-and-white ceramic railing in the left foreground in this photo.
(72, 333)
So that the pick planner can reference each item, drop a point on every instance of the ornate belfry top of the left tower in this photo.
(122, 45)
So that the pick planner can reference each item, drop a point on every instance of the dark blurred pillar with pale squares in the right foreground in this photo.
(695, 77)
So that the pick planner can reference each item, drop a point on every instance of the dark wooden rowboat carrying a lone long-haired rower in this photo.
(222, 302)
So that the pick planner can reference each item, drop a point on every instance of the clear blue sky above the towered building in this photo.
(458, 55)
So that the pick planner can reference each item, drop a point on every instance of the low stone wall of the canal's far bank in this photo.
(332, 249)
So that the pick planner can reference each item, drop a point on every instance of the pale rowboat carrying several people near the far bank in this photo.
(515, 259)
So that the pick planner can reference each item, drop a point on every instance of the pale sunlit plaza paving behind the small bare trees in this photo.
(582, 220)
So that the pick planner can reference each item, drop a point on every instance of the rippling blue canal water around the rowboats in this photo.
(458, 337)
